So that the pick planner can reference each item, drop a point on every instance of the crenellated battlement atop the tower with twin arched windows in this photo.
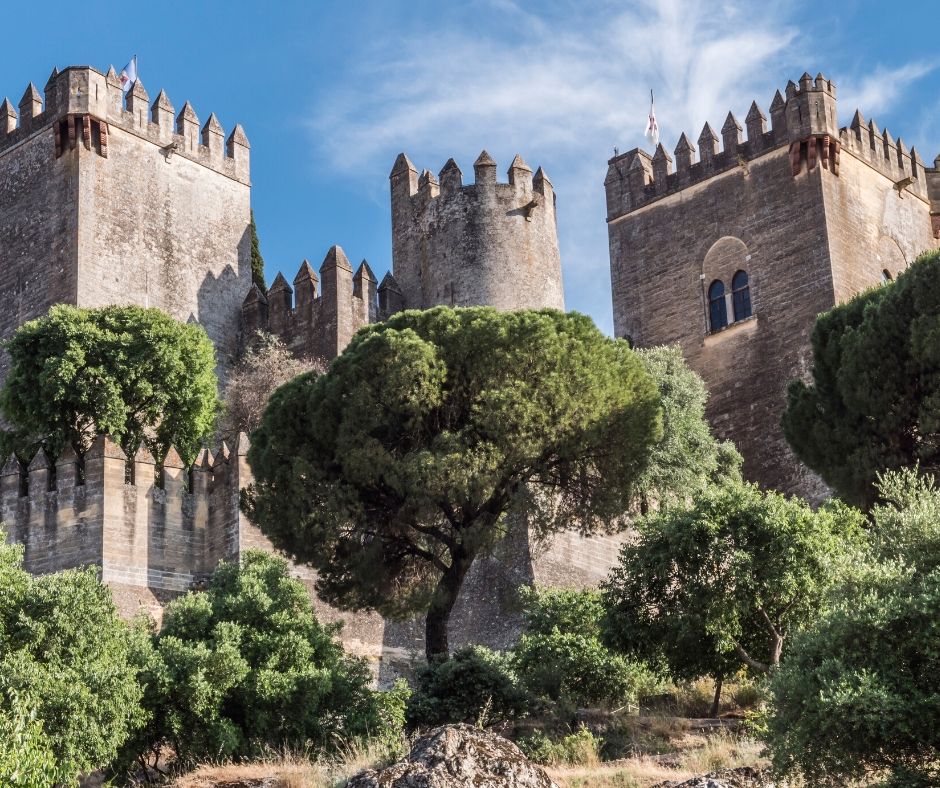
(805, 121)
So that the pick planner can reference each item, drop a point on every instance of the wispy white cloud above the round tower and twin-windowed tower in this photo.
(562, 86)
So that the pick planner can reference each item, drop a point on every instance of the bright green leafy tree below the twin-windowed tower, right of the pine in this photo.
(724, 581)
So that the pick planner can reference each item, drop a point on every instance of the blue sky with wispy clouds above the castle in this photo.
(330, 92)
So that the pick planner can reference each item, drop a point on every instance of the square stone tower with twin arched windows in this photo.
(733, 255)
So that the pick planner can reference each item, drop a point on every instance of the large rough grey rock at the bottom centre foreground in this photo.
(458, 756)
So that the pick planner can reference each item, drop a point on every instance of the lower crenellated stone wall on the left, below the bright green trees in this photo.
(150, 525)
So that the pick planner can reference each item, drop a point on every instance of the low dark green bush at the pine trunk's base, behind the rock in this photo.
(473, 685)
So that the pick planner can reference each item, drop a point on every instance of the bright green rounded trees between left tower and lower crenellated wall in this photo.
(131, 372)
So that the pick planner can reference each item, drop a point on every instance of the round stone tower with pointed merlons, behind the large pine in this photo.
(482, 243)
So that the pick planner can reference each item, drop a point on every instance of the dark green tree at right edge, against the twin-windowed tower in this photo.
(874, 403)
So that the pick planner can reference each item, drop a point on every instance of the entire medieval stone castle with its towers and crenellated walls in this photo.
(106, 200)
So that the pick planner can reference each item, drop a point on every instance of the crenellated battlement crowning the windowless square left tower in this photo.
(82, 106)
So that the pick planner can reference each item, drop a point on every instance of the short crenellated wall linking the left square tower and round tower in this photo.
(317, 317)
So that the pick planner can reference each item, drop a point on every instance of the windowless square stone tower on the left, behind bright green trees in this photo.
(104, 201)
